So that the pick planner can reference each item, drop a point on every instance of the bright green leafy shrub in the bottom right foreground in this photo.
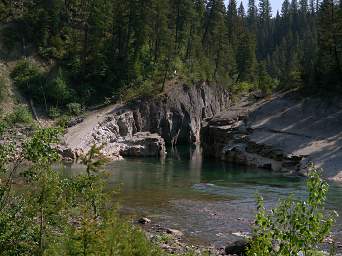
(293, 226)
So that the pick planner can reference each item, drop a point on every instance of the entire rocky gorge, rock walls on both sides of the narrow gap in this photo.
(283, 133)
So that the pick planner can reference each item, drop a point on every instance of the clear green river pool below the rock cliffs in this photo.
(207, 200)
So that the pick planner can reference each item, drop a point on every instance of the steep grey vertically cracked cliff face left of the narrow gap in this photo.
(177, 116)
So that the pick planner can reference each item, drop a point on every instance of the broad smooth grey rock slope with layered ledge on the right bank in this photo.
(282, 133)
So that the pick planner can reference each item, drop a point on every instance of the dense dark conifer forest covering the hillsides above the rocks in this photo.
(103, 47)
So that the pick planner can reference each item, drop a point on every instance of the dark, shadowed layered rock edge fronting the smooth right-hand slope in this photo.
(227, 137)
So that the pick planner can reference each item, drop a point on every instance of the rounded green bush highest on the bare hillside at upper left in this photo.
(28, 78)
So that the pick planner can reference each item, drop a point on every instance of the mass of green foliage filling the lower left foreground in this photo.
(48, 214)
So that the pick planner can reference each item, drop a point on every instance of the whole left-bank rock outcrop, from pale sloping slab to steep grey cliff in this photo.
(141, 128)
